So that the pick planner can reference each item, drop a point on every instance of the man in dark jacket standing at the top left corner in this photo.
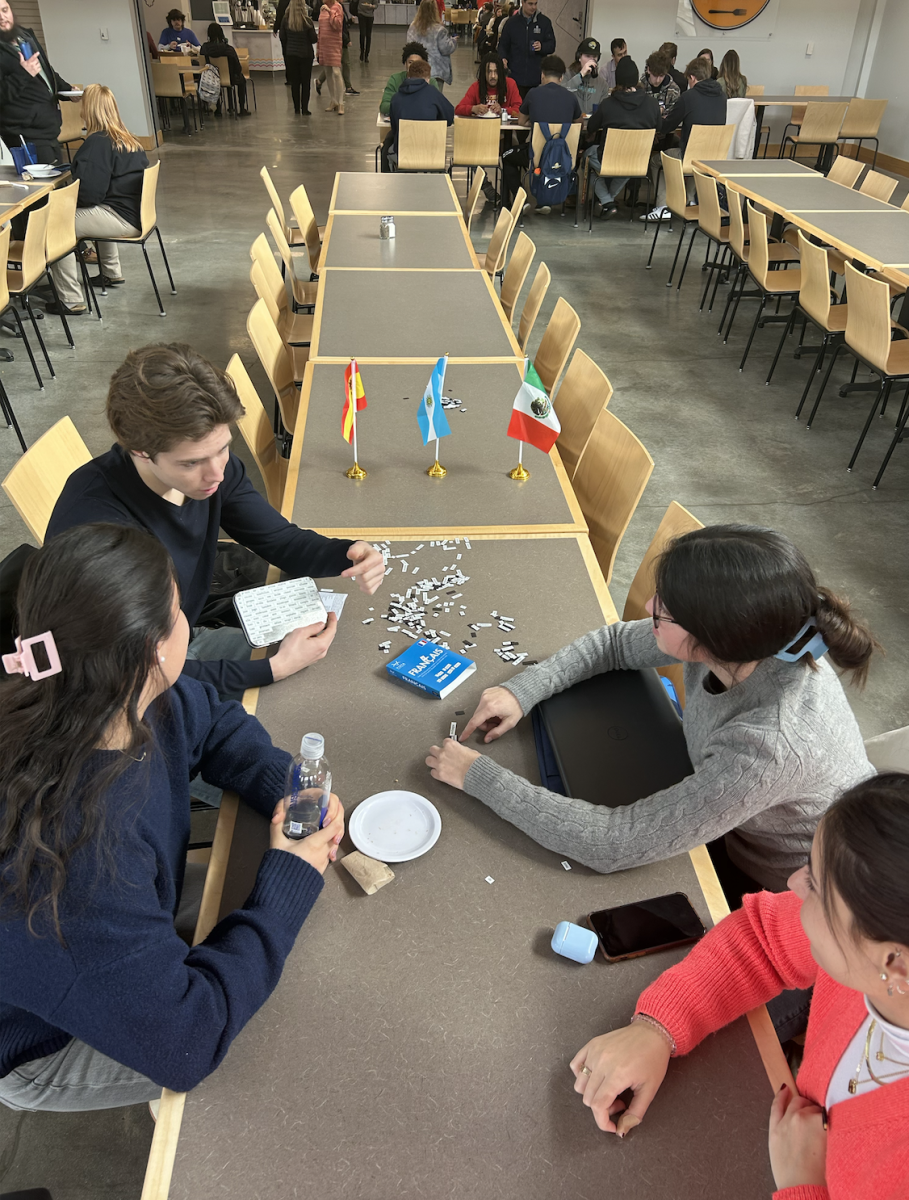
(28, 91)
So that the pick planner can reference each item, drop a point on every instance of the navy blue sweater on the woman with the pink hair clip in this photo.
(125, 983)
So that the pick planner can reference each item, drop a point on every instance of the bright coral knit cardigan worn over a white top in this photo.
(751, 957)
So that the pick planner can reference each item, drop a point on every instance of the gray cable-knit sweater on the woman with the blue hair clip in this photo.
(769, 755)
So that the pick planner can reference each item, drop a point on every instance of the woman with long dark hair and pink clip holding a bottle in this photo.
(101, 1001)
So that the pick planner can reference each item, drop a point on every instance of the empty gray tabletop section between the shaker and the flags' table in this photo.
(410, 315)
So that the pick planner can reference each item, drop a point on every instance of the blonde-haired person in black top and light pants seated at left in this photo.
(110, 169)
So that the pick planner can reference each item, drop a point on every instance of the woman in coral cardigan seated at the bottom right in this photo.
(844, 928)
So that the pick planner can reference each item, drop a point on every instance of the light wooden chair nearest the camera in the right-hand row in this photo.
(869, 340)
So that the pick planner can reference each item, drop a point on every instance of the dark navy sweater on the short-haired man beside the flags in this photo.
(111, 489)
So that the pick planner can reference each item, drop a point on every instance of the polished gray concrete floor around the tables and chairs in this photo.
(725, 446)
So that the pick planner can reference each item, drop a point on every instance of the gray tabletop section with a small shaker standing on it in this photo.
(420, 242)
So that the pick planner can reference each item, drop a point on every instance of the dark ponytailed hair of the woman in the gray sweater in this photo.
(744, 592)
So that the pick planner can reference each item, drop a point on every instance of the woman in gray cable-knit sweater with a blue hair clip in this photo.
(773, 741)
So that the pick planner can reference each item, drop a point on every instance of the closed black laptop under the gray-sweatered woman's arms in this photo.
(617, 737)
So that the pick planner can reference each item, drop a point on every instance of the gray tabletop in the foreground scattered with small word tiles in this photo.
(418, 1042)
